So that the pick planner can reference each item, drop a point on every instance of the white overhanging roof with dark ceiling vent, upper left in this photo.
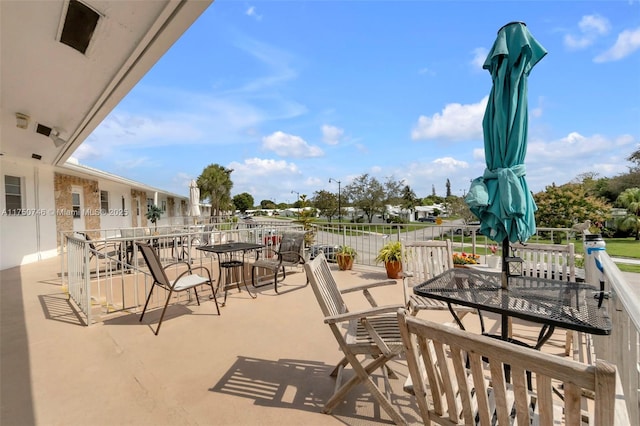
(59, 87)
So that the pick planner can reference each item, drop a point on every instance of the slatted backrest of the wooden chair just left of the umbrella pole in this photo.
(424, 260)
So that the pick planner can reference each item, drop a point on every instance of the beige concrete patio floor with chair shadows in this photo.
(264, 361)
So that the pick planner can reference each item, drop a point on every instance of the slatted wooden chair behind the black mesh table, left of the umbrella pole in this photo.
(423, 260)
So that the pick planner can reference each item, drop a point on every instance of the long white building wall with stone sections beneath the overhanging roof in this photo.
(46, 192)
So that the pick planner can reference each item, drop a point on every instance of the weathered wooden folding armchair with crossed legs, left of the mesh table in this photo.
(370, 333)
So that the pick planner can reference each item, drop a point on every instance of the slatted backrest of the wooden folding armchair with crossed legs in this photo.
(324, 286)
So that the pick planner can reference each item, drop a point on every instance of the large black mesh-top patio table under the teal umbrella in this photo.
(552, 303)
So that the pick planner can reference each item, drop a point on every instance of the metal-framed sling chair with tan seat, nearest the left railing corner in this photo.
(186, 280)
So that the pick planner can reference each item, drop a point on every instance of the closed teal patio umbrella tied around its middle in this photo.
(500, 198)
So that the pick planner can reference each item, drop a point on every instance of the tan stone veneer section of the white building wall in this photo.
(62, 186)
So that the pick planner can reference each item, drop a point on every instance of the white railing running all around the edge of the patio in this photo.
(102, 285)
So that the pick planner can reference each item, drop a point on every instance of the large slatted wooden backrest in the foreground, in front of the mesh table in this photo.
(458, 375)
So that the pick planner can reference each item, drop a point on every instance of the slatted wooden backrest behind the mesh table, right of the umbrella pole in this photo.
(556, 261)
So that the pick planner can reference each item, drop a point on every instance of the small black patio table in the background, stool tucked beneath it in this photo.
(231, 257)
